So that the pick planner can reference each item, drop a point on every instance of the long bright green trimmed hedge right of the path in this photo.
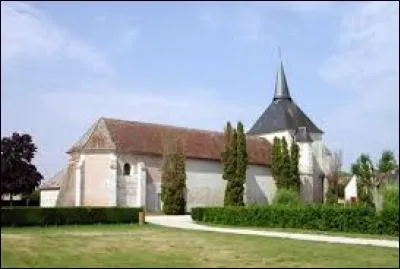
(315, 217)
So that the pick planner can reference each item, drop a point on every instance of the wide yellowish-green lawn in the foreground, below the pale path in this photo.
(153, 246)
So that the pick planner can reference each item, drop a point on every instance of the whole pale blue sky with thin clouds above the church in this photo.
(198, 65)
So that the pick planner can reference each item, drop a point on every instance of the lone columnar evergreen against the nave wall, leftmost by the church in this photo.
(173, 180)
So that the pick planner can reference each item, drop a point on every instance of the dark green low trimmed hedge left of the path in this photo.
(39, 216)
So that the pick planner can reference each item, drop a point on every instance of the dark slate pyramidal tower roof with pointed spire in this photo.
(282, 113)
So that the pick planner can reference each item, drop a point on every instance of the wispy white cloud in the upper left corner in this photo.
(27, 34)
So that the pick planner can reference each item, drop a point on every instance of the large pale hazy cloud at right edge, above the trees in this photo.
(367, 64)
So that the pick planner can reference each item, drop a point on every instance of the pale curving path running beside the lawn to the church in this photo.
(185, 222)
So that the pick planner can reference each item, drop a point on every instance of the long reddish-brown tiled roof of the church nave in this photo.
(148, 138)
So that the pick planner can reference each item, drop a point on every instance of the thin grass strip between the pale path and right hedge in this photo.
(305, 231)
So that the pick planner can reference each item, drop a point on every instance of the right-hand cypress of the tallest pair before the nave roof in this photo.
(242, 161)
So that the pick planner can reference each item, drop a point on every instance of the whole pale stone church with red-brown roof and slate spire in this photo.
(118, 162)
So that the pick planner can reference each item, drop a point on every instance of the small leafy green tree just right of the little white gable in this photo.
(364, 170)
